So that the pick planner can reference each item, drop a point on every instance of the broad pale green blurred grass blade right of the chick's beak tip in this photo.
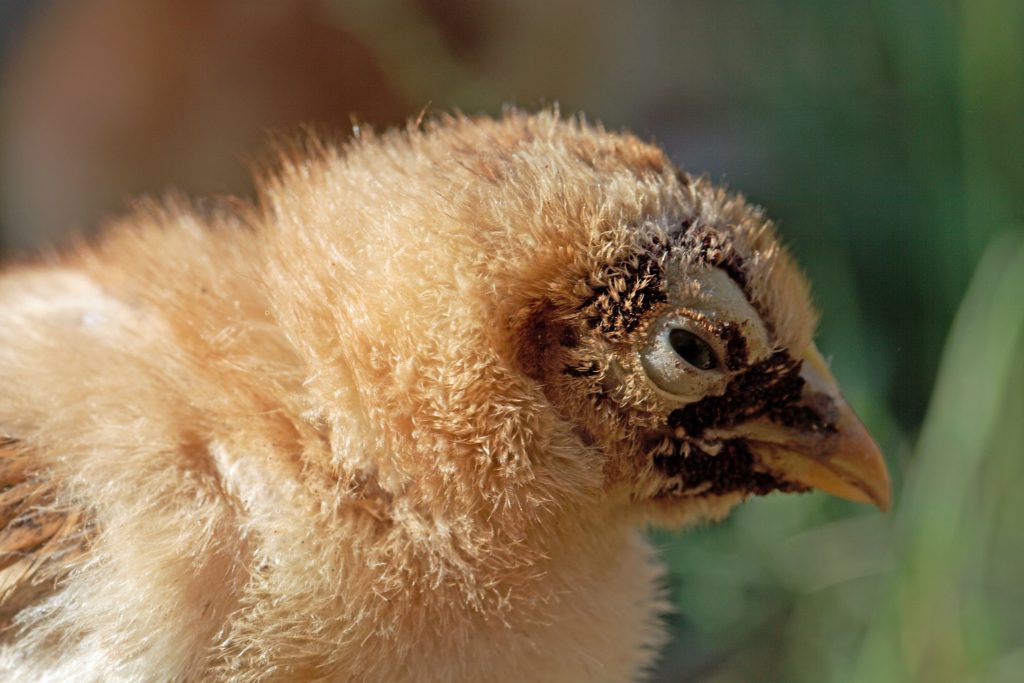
(945, 532)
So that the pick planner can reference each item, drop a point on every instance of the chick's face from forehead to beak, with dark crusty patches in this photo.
(688, 362)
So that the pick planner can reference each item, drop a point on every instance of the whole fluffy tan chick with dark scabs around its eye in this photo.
(403, 419)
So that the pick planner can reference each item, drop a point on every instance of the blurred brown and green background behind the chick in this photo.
(887, 139)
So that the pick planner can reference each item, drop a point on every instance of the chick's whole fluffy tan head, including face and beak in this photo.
(636, 319)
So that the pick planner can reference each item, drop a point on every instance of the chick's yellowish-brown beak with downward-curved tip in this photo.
(844, 461)
